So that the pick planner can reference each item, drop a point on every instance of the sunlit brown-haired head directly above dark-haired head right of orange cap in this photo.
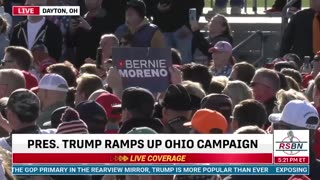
(238, 91)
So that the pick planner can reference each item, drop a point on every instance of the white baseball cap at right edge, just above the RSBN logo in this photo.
(297, 113)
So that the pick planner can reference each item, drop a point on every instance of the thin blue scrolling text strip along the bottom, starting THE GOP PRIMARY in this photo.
(160, 169)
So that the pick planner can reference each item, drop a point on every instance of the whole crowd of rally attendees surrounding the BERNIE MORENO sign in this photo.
(50, 81)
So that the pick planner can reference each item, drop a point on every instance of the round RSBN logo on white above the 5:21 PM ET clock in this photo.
(291, 145)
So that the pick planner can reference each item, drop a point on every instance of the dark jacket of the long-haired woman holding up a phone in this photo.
(204, 44)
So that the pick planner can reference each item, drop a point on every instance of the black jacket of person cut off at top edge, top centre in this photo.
(177, 16)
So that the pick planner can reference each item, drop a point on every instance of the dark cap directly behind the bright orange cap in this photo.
(218, 102)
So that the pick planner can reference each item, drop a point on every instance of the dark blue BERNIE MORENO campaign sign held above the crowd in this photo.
(143, 67)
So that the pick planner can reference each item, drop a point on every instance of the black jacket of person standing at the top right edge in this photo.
(298, 35)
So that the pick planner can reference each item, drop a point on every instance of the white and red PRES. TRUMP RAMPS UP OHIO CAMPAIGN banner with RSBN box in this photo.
(284, 147)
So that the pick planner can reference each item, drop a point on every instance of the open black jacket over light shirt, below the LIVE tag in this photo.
(49, 35)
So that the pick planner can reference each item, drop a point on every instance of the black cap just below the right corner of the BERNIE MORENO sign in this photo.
(177, 98)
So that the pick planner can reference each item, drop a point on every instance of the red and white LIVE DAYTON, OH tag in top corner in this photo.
(46, 10)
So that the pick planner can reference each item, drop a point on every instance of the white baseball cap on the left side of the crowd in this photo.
(53, 82)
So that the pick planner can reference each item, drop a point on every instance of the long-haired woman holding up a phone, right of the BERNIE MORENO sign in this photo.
(219, 30)
